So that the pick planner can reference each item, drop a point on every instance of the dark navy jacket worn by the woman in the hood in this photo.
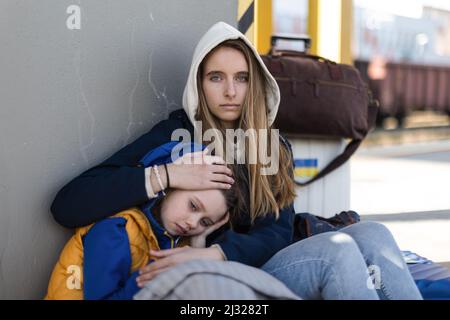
(118, 183)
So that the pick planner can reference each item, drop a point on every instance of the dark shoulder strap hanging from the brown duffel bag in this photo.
(351, 147)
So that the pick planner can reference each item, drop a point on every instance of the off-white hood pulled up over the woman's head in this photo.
(217, 34)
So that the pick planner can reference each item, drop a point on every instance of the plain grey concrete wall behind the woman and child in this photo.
(71, 95)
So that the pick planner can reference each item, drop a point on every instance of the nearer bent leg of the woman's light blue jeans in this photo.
(329, 264)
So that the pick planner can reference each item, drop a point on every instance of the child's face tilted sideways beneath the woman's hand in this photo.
(189, 212)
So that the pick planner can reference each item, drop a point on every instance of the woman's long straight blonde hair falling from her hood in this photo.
(265, 193)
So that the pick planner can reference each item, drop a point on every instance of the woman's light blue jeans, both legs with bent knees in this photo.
(360, 261)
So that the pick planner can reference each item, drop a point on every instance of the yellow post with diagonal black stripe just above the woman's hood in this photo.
(255, 21)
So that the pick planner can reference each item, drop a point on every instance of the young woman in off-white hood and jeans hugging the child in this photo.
(229, 87)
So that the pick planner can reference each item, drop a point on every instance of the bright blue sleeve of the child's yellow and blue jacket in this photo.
(107, 262)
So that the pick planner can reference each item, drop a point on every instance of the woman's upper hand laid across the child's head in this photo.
(199, 171)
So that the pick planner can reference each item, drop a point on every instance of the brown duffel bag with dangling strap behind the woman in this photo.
(321, 98)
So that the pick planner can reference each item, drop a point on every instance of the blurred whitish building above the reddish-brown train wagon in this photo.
(421, 40)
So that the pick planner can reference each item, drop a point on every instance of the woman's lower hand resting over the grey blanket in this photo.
(172, 257)
